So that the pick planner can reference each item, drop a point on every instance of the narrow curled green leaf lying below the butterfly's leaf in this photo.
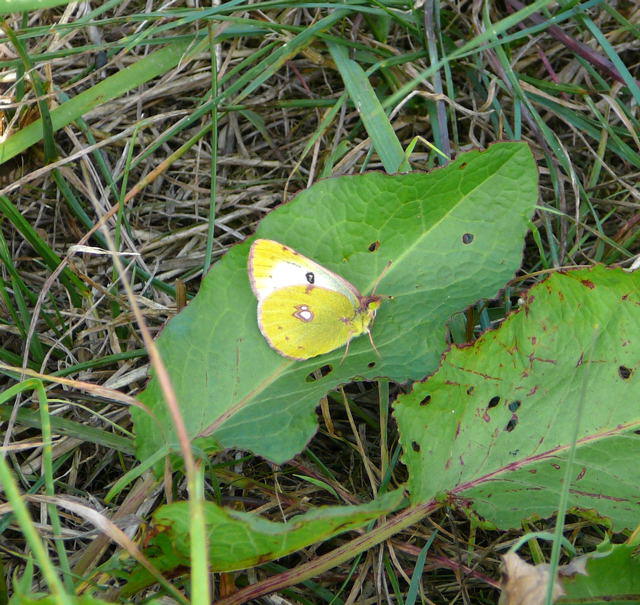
(238, 540)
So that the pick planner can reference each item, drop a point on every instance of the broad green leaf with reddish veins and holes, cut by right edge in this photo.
(492, 429)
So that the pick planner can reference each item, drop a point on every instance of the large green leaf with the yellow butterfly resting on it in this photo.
(452, 236)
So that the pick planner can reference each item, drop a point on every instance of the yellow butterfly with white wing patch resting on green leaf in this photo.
(305, 310)
